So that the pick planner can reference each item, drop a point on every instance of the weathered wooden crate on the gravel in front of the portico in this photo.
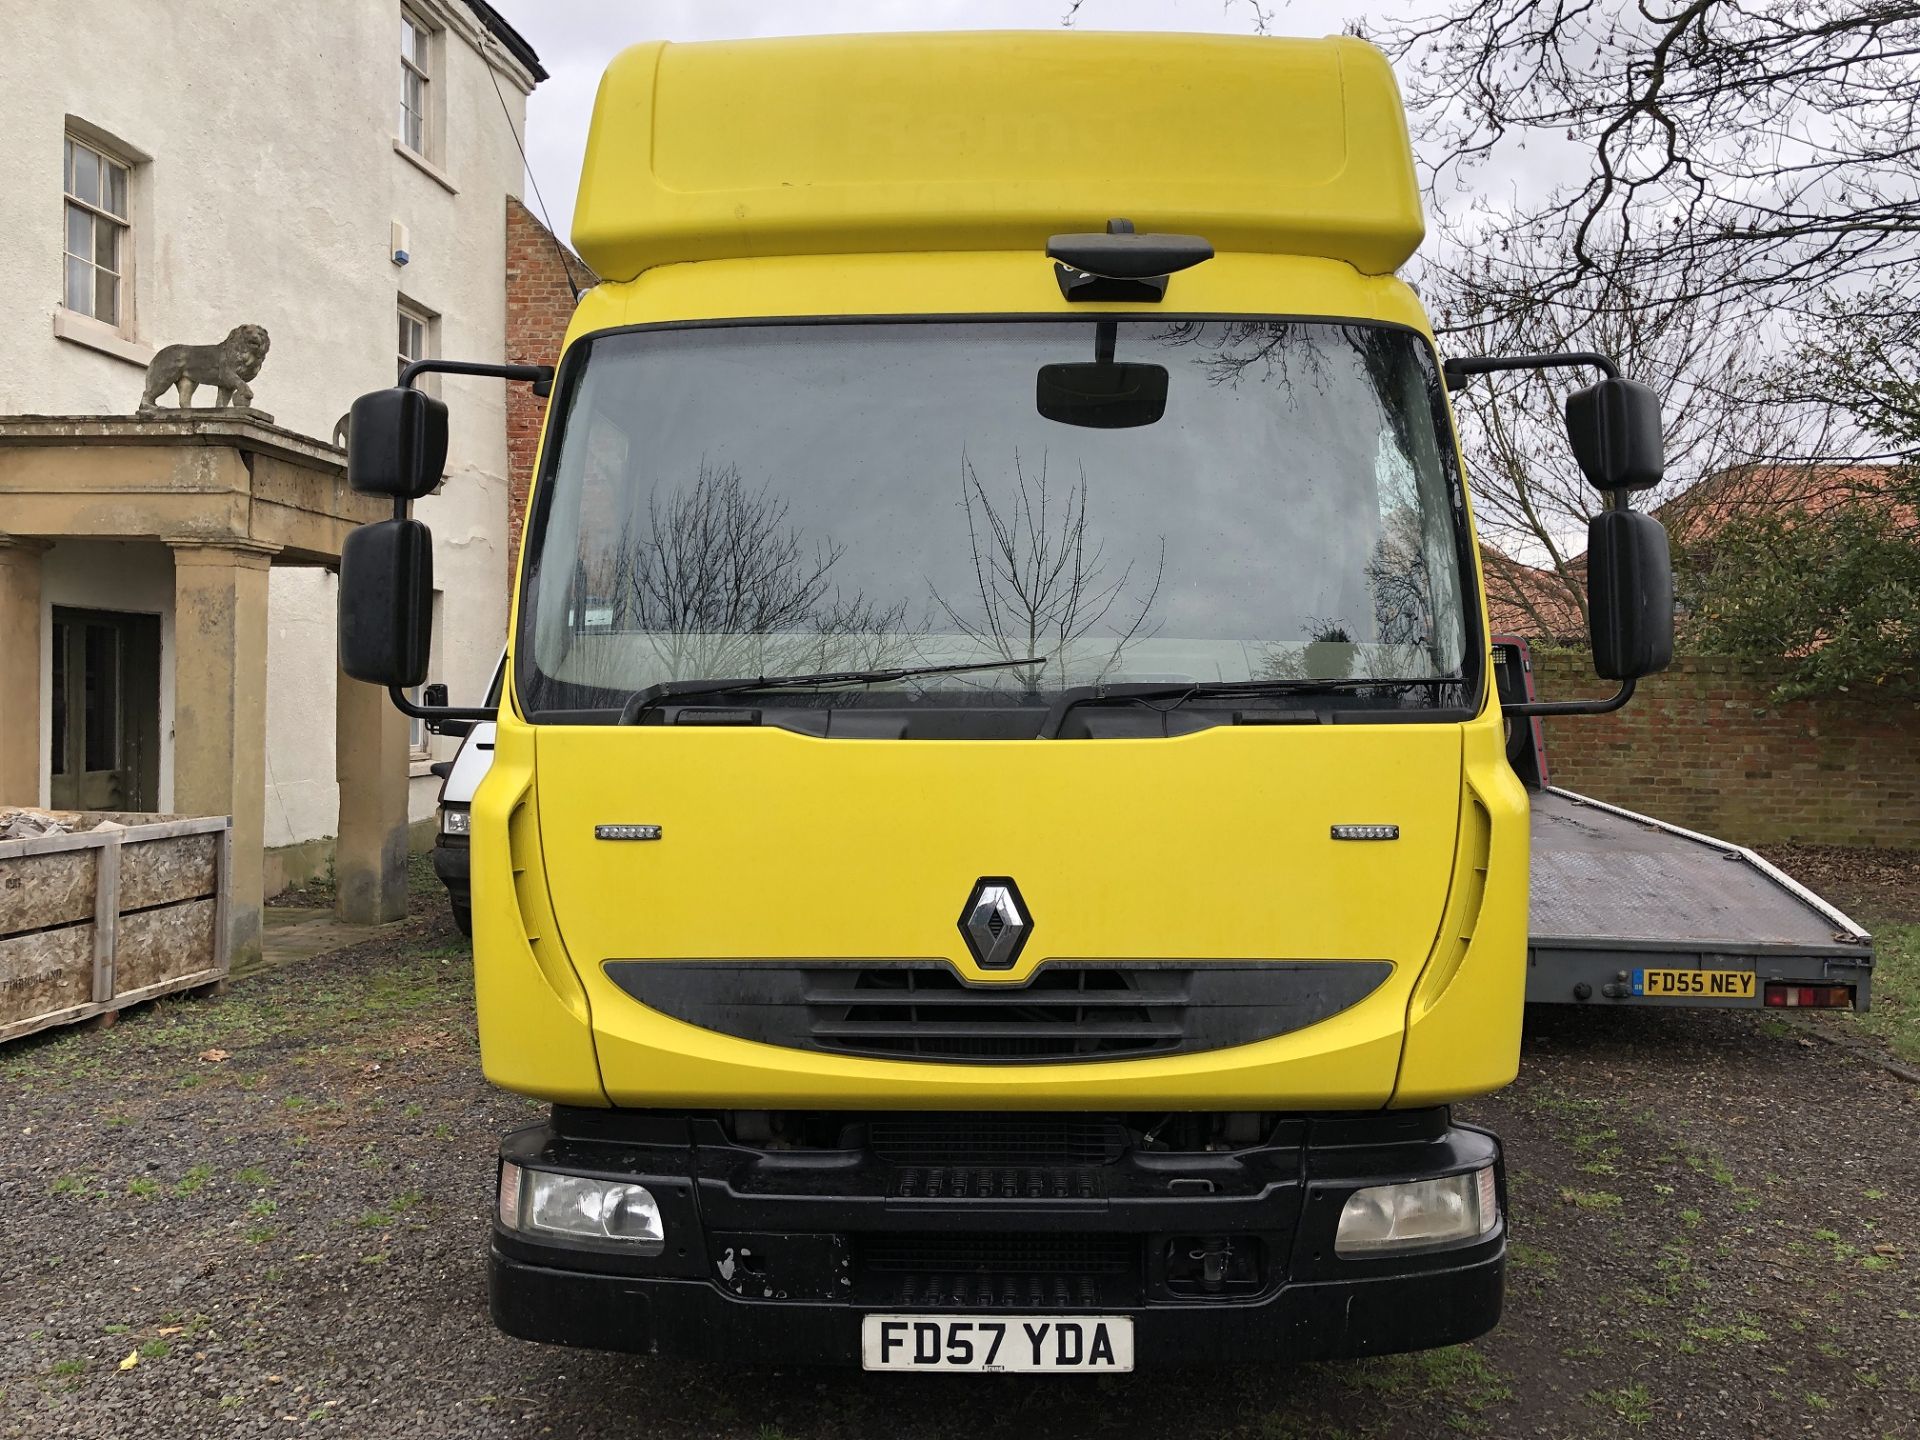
(105, 919)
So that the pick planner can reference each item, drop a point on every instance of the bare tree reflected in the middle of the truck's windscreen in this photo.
(1040, 575)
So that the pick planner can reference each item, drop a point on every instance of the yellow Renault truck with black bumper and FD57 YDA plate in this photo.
(1001, 848)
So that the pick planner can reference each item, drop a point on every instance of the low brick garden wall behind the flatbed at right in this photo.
(1704, 748)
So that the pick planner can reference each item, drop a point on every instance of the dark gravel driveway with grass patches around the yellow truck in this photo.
(264, 1214)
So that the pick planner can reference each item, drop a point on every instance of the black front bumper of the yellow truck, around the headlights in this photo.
(777, 1257)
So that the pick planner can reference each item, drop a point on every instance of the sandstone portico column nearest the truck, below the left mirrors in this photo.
(372, 767)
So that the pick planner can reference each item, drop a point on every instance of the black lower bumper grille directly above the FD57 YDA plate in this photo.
(999, 1270)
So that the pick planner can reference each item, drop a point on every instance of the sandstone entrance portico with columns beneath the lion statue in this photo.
(218, 498)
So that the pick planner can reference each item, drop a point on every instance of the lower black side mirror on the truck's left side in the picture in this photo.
(387, 602)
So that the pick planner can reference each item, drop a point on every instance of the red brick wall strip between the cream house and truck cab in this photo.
(539, 310)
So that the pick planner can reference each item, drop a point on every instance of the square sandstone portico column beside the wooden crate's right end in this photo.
(220, 709)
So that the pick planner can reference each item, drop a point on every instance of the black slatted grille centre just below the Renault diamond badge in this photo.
(1065, 1013)
